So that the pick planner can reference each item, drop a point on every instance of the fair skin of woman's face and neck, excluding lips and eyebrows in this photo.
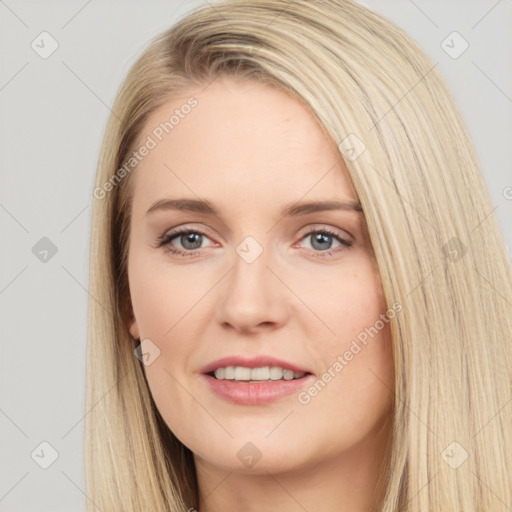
(250, 149)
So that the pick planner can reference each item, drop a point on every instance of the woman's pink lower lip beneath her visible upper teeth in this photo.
(257, 393)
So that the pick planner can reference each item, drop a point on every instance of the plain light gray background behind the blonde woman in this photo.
(52, 117)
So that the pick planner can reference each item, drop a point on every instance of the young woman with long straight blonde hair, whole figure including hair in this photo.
(337, 334)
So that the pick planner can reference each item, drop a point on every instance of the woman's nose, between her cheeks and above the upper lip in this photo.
(253, 297)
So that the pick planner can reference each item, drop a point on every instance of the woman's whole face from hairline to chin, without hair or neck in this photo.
(264, 277)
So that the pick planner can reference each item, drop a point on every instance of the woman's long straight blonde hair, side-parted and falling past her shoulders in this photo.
(439, 249)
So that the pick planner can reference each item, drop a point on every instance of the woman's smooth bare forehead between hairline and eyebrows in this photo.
(242, 141)
